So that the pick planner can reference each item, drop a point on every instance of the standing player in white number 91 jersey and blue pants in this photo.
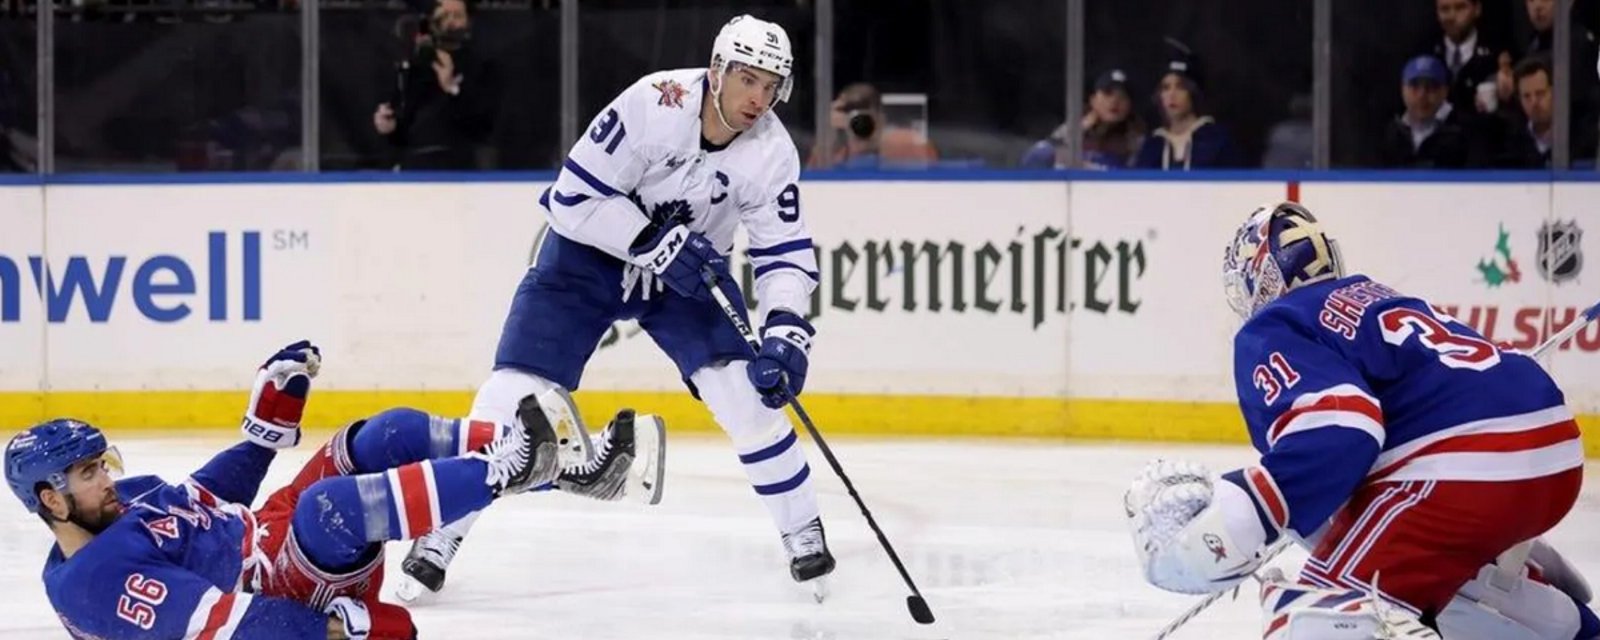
(647, 201)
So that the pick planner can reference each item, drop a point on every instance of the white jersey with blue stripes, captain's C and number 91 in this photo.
(644, 161)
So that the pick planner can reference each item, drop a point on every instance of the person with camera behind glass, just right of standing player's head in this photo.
(865, 140)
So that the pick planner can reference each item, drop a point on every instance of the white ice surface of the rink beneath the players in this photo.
(1007, 540)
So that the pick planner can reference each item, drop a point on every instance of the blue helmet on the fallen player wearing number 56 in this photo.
(46, 452)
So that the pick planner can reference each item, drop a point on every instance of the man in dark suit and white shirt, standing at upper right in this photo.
(1479, 68)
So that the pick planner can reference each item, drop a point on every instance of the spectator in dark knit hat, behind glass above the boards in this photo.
(1188, 140)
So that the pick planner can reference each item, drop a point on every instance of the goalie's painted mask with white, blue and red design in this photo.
(1279, 249)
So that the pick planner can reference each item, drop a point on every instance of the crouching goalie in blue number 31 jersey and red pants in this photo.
(1412, 457)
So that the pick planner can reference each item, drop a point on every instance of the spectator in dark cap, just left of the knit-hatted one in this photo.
(1113, 132)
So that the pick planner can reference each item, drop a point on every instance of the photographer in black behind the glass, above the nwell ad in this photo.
(446, 97)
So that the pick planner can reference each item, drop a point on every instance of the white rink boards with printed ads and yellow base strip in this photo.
(964, 308)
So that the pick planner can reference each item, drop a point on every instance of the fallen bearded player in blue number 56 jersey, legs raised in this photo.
(143, 559)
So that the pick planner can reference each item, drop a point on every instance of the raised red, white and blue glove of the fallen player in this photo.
(279, 396)
